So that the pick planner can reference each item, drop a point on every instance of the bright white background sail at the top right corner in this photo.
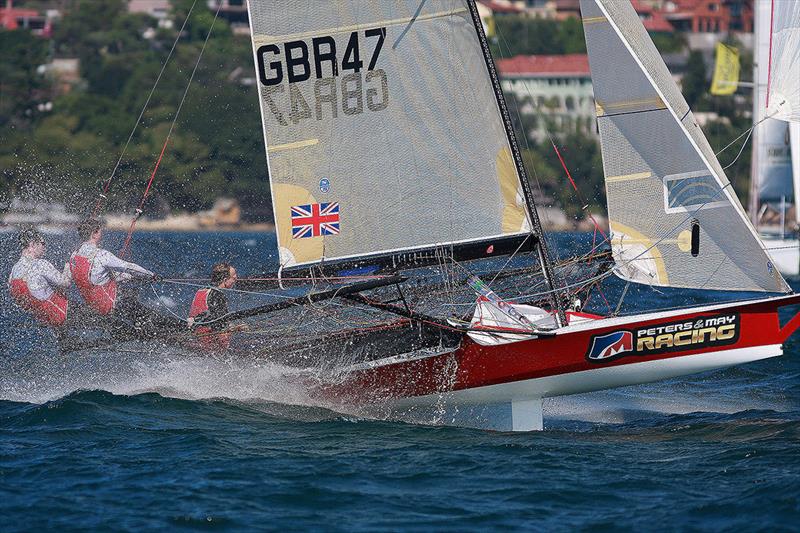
(783, 100)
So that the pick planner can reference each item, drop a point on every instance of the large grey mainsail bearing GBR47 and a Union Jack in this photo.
(382, 128)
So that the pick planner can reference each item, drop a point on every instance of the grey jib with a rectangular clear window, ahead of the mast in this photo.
(675, 220)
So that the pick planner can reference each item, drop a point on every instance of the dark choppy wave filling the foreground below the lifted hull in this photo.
(150, 461)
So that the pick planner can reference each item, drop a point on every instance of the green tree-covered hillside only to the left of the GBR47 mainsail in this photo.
(216, 147)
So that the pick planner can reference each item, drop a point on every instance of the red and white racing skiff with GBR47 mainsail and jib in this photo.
(392, 159)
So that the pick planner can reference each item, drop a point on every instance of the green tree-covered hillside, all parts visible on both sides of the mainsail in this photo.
(62, 144)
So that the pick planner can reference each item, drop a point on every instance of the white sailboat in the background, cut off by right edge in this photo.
(775, 183)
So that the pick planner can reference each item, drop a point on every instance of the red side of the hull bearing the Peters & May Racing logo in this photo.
(472, 365)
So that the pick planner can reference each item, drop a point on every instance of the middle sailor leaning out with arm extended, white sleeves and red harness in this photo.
(97, 272)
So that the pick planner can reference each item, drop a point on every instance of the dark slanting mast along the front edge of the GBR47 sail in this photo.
(536, 226)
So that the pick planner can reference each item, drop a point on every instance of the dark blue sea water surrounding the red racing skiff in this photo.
(126, 441)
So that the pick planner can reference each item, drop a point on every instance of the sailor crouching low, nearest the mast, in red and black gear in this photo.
(210, 306)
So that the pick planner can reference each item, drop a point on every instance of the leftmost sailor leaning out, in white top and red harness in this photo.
(36, 285)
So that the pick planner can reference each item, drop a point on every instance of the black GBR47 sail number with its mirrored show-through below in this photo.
(339, 81)
